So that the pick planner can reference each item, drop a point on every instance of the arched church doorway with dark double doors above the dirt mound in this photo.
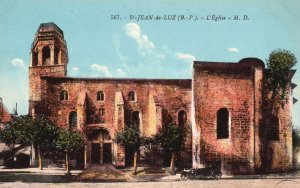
(100, 147)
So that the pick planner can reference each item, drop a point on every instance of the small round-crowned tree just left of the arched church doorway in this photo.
(69, 141)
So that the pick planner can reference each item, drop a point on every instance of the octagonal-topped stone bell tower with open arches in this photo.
(48, 57)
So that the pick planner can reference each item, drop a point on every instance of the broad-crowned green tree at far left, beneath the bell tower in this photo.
(28, 131)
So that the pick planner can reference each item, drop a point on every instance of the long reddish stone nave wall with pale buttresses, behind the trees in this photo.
(168, 97)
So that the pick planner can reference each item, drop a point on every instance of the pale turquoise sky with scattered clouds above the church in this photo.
(107, 38)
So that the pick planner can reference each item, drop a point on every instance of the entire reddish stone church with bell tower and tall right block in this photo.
(222, 110)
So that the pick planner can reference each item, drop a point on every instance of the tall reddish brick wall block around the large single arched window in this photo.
(230, 86)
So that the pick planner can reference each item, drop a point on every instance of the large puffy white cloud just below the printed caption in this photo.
(134, 31)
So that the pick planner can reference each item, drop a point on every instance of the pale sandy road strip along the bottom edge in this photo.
(226, 183)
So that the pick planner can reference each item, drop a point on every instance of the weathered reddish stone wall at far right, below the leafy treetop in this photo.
(276, 135)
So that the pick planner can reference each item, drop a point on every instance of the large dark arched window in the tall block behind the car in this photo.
(222, 123)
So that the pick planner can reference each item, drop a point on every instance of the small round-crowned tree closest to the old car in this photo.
(171, 137)
